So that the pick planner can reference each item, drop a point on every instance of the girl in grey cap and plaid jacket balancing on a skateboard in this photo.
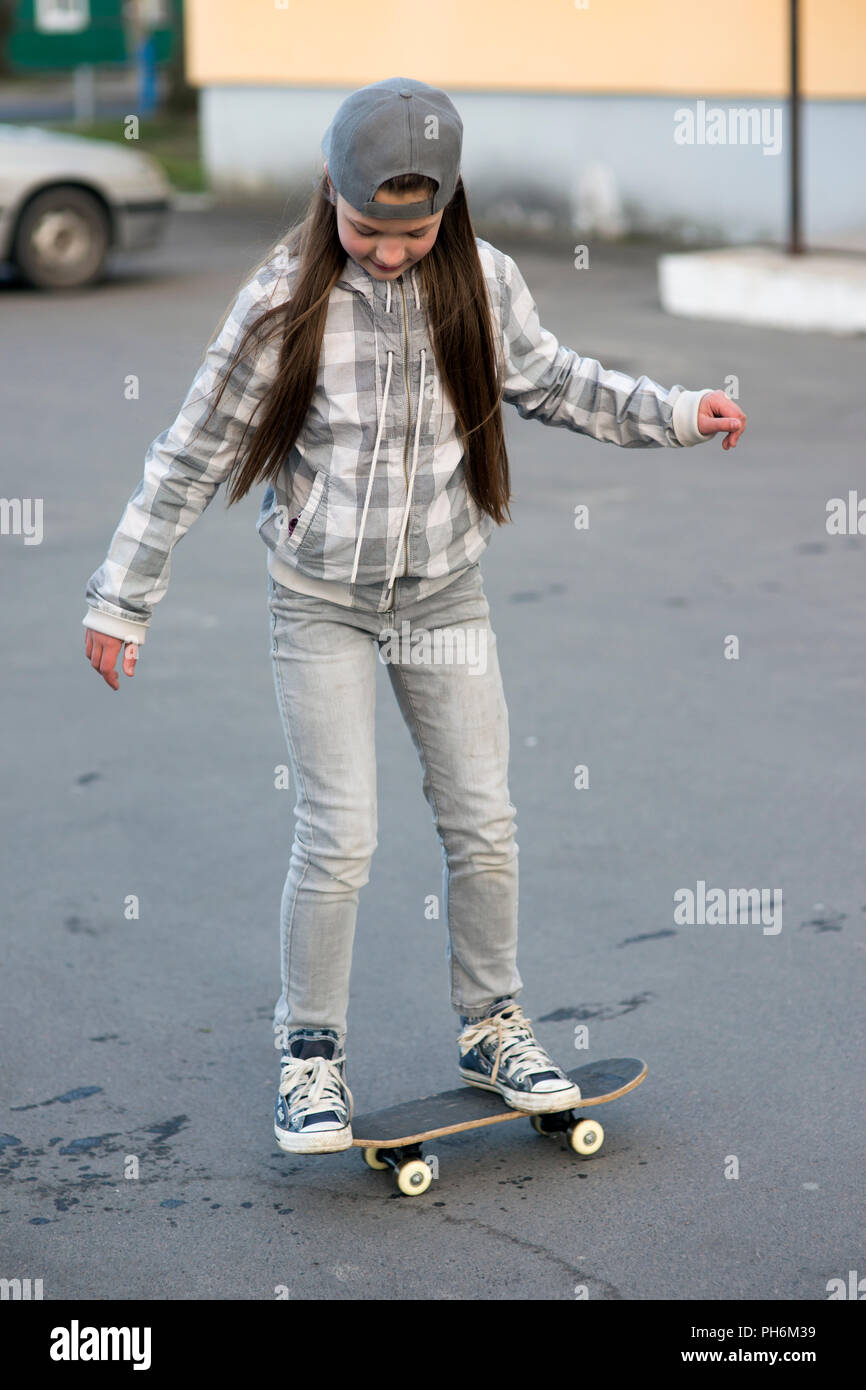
(361, 373)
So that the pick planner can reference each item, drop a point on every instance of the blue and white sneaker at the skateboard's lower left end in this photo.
(315, 1106)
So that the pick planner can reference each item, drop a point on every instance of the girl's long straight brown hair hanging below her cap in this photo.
(462, 334)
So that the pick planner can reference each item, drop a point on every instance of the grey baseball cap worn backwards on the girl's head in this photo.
(389, 129)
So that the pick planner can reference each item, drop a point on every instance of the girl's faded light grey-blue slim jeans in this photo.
(441, 658)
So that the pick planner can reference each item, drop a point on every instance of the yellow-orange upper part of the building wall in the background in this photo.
(698, 48)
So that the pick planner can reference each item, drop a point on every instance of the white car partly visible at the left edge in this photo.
(67, 202)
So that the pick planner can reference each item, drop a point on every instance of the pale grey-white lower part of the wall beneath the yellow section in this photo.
(526, 156)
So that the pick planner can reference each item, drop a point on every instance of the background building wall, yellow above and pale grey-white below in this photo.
(559, 105)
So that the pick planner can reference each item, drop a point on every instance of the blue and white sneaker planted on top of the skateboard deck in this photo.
(500, 1053)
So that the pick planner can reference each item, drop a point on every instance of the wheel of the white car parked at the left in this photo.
(63, 240)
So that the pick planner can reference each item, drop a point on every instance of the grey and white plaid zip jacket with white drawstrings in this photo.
(375, 487)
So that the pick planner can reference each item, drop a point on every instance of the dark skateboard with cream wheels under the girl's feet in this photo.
(394, 1138)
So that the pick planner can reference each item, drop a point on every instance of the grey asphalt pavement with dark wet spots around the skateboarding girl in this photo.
(138, 1072)
